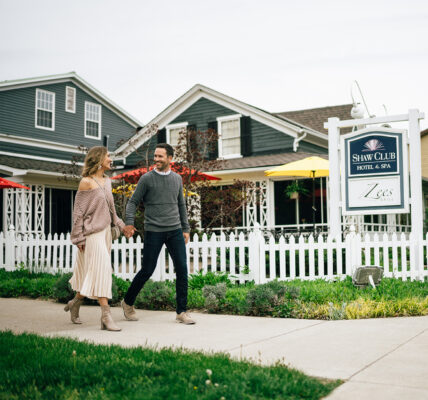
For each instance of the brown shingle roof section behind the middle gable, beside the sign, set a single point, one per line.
(315, 117)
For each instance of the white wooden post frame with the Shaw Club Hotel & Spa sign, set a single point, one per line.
(374, 182)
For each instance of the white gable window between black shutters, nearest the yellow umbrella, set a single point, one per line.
(229, 131)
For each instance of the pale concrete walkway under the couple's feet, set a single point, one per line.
(377, 358)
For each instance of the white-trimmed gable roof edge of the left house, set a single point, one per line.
(78, 81)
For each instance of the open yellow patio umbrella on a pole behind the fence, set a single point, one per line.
(311, 167)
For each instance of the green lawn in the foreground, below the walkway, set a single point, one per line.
(55, 368)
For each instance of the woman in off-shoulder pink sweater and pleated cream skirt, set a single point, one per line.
(93, 215)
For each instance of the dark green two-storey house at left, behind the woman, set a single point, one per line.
(44, 124)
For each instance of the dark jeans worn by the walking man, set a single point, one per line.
(153, 242)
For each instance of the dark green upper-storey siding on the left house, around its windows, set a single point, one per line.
(17, 117)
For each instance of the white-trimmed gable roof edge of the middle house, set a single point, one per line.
(282, 124)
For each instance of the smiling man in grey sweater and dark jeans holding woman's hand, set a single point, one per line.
(165, 222)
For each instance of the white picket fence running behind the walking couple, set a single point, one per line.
(251, 257)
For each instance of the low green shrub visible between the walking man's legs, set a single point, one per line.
(155, 296)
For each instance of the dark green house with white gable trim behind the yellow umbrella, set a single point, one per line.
(251, 141)
